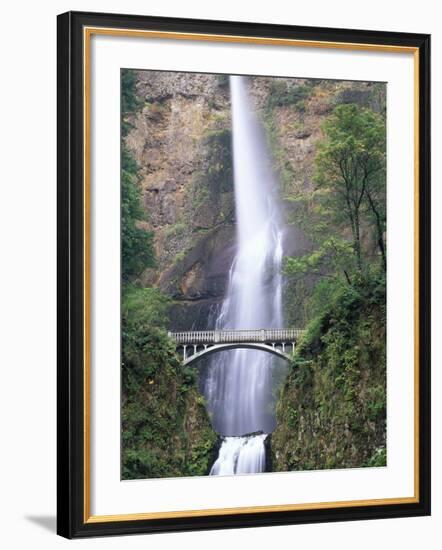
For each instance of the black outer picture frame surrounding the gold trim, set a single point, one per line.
(72, 395)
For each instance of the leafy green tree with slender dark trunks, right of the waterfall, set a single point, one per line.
(350, 167)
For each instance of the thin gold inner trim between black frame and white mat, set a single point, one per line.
(134, 33)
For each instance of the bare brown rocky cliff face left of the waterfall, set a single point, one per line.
(181, 141)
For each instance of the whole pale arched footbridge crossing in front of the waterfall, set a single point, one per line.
(193, 345)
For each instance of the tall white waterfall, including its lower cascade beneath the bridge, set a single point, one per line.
(239, 382)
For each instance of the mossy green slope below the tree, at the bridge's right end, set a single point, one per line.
(332, 409)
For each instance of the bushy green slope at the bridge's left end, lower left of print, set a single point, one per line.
(166, 431)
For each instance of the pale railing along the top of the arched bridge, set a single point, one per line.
(232, 336)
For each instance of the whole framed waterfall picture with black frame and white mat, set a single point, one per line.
(243, 274)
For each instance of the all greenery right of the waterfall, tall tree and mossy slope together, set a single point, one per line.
(332, 408)
